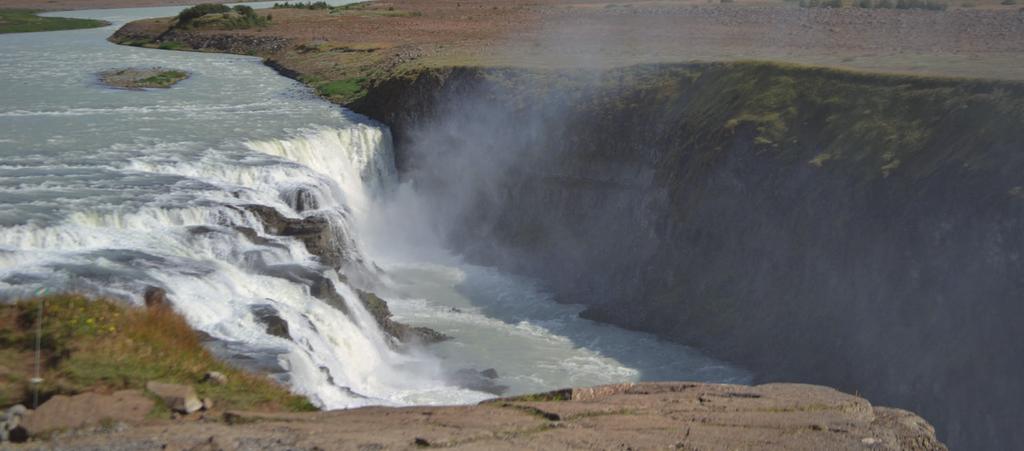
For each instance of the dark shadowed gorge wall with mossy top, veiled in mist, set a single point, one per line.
(858, 231)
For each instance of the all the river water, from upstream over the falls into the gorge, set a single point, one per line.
(109, 192)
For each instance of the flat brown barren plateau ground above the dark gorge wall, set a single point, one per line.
(960, 43)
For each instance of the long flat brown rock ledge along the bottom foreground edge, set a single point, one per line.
(673, 416)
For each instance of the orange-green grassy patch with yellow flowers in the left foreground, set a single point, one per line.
(102, 346)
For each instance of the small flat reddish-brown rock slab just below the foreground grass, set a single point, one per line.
(90, 409)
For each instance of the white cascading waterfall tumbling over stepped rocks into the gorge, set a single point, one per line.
(224, 268)
